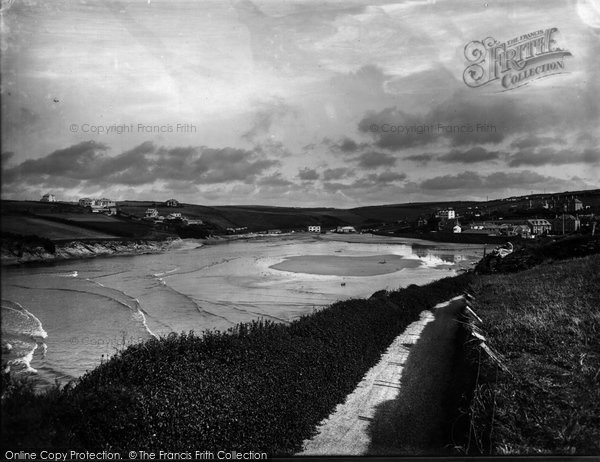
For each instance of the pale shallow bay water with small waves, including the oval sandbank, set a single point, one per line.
(61, 319)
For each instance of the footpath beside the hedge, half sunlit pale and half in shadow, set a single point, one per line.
(397, 408)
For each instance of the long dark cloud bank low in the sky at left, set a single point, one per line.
(89, 163)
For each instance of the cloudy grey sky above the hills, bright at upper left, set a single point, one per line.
(291, 103)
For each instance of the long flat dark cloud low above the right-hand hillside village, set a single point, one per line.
(470, 180)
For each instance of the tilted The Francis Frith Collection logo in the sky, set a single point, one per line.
(515, 62)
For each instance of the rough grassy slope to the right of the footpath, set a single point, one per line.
(545, 324)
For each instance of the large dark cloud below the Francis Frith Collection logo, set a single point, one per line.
(469, 119)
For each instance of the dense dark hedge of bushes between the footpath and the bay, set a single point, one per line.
(260, 386)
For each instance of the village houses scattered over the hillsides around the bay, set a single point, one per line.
(519, 217)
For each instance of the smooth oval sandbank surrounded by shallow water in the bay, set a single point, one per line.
(372, 265)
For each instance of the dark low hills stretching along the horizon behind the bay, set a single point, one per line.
(261, 217)
